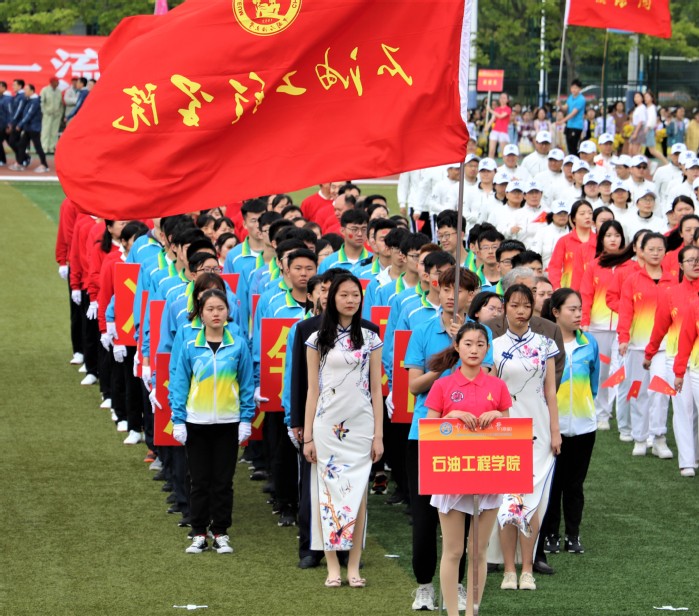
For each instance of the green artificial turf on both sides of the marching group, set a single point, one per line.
(85, 530)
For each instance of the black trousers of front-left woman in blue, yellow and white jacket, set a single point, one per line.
(212, 453)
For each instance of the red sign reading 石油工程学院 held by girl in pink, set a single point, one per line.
(456, 460)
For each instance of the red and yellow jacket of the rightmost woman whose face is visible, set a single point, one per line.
(673, 305)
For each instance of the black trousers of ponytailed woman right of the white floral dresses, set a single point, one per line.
(567, 485)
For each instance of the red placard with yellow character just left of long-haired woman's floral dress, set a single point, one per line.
(274, 334)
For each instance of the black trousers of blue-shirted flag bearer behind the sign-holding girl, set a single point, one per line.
(425, 525)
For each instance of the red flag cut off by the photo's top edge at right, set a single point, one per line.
(643, 16)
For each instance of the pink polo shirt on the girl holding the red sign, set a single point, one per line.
(456, 393)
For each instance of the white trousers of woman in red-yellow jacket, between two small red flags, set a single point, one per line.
(648, 409)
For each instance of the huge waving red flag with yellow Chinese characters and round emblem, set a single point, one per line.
(218, 101)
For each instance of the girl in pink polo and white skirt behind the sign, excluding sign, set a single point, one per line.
(476, 398)
